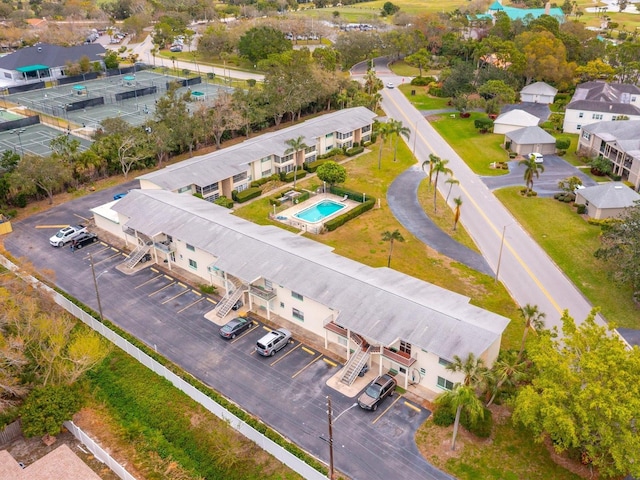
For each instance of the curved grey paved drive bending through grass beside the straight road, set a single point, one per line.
(402, 197)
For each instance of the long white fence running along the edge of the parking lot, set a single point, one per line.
(251, 433)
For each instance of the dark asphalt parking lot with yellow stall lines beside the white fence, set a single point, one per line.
(287, 391)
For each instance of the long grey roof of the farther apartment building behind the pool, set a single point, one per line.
(216, 166)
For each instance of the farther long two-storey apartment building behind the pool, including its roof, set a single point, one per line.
(234, 168)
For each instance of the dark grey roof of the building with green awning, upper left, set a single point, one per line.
(51, 55)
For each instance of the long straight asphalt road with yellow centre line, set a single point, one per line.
(519, 262)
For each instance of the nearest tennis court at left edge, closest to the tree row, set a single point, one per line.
(34, 139)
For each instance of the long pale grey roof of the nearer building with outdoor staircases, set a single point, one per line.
(379, 303)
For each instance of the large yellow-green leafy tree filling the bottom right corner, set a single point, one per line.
(585, 396)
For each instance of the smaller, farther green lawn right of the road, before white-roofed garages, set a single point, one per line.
(478, 151)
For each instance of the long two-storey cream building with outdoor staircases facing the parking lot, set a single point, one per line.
(375, 316)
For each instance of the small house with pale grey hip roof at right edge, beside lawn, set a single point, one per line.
(607, 200)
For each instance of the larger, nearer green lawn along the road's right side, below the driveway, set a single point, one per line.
(570, 241)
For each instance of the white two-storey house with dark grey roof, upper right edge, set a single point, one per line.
(601, 101)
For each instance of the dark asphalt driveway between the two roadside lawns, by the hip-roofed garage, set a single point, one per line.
(555, 169)
